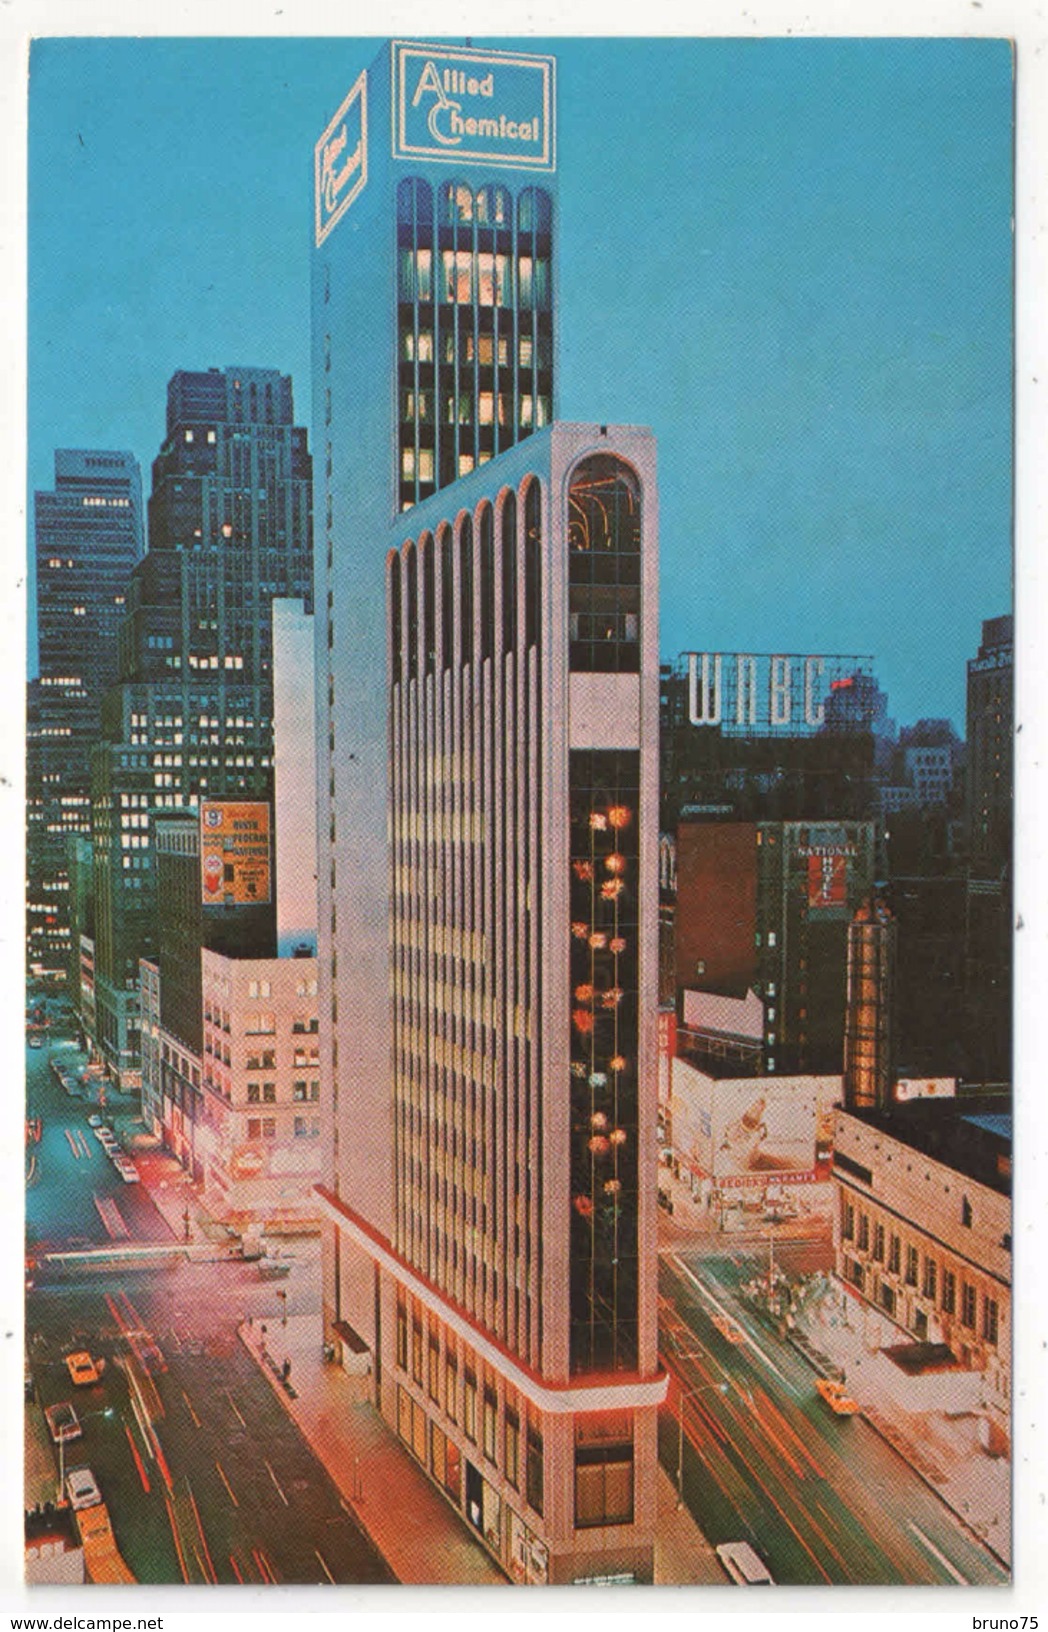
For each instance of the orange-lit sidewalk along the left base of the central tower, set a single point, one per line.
(419, 1535)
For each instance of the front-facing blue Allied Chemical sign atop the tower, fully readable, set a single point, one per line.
(486, 109)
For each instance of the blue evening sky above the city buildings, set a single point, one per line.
(791, 259)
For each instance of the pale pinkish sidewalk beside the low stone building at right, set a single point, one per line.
(943, 1448)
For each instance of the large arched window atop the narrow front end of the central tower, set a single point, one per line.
(605, 567)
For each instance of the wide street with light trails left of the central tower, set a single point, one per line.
(205, 1475)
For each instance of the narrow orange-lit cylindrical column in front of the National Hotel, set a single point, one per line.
(869, 1062)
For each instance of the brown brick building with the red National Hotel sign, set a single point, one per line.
(762, 941)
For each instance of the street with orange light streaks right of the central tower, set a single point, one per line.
(822, 1497)
